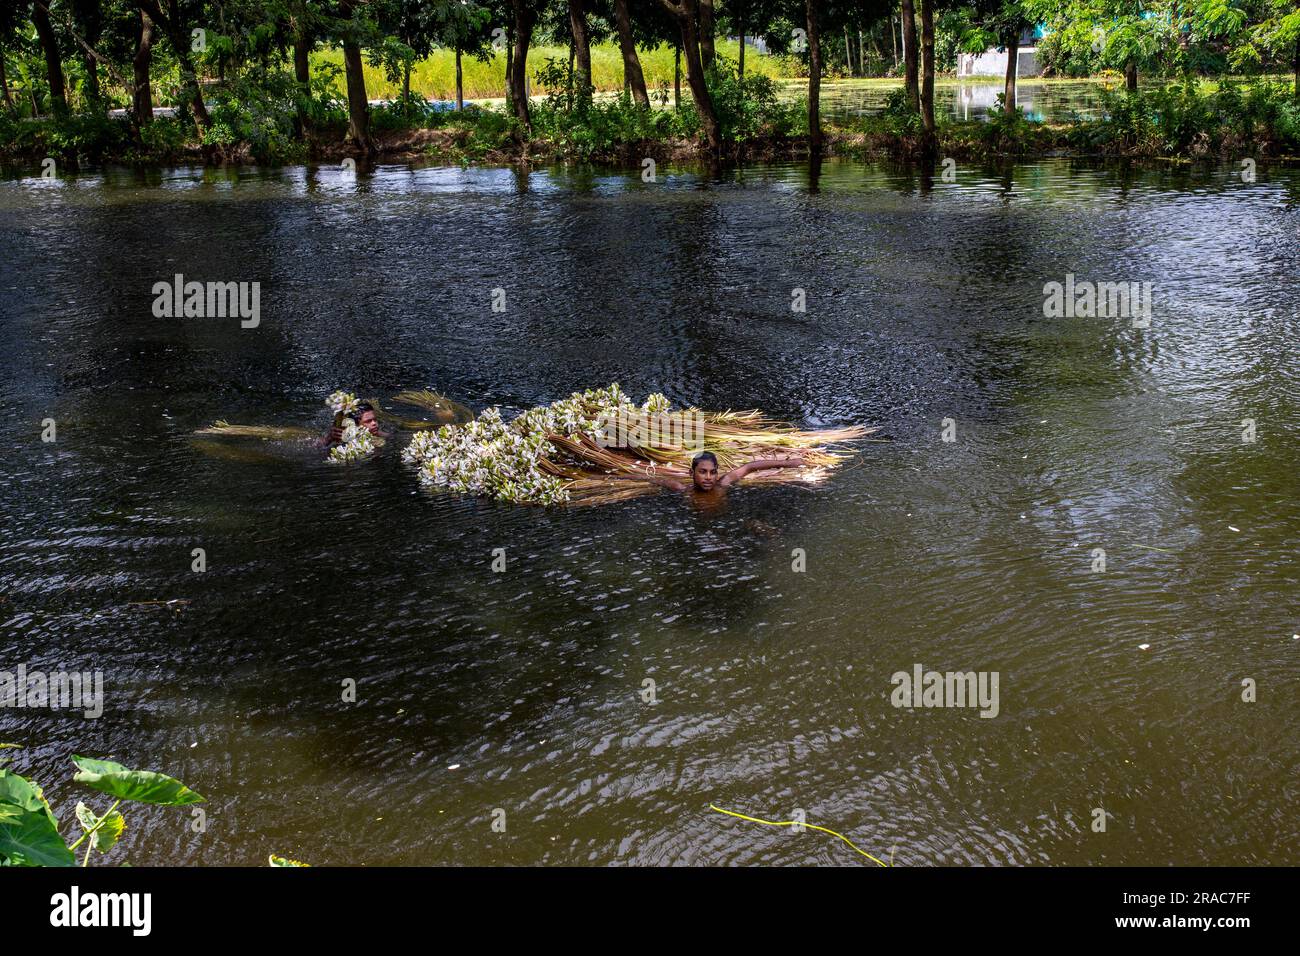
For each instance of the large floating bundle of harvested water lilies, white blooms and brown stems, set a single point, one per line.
(569, 452)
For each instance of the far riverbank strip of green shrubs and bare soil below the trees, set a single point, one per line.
(1173, 123)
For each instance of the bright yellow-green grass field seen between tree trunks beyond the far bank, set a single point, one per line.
(436, 77)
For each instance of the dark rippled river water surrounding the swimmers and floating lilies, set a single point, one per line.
(925, 304)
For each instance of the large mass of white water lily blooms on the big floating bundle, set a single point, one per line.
(501, 460)
